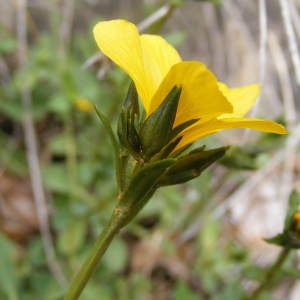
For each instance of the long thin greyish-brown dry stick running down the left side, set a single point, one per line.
(32, 152)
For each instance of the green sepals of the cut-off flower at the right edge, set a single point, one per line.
(290, 237)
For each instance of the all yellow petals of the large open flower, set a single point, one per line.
(155, 68)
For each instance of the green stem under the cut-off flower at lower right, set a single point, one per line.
(271, 274)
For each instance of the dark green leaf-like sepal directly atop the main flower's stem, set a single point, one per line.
(141, 187)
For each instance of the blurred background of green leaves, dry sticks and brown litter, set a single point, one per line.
(200, 240)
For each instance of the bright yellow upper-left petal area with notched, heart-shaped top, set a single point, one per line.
(146, 58)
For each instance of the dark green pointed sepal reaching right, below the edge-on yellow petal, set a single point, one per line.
(191, 166)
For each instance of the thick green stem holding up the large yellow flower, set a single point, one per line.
(89, 266)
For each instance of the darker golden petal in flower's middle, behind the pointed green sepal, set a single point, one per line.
(200, 95)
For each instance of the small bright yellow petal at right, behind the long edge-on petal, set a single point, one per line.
(242, 99)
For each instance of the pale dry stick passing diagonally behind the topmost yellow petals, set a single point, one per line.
(160, 14)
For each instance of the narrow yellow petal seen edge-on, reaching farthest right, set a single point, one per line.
(202, 129)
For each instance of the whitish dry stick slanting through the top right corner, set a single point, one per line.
(292, 42)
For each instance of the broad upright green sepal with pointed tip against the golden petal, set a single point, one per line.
(157, 129)
